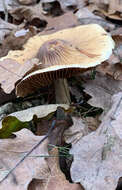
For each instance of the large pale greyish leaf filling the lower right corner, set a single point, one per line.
(98, 156)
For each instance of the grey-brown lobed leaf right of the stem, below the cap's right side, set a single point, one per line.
(101, 89)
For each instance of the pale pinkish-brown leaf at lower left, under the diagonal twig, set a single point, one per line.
(34, 166)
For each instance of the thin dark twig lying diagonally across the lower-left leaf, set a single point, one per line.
(24, 157)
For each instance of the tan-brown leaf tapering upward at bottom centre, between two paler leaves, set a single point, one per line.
(56, 179)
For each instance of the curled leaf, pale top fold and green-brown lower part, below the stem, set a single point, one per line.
(25, 118)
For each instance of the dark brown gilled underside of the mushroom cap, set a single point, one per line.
(41, 78)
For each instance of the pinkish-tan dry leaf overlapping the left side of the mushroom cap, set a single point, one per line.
(10, 72)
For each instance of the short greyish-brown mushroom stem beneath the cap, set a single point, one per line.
(62, 92)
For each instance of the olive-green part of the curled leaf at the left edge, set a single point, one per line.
(11, 124)
